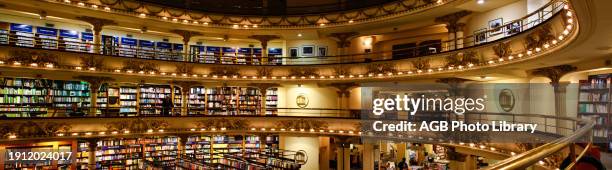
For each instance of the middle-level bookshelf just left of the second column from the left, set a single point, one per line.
(151, 98)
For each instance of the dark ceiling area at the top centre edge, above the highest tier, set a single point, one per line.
(268, 7)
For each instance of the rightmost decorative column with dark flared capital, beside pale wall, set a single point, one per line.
(555, 73)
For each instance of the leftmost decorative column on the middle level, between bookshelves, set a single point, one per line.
(94, 85)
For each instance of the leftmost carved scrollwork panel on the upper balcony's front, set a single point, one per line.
(28, 57)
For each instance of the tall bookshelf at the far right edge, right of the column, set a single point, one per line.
(595, 103)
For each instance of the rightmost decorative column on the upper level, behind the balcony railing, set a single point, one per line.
(455, 29)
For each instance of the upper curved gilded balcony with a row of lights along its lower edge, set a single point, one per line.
(535, 38)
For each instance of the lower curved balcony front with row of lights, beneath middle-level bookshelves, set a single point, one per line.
(557, 133)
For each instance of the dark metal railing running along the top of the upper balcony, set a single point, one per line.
(484, 36)
